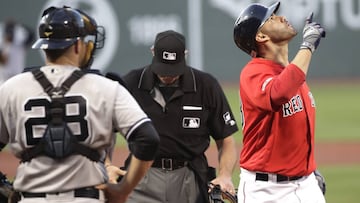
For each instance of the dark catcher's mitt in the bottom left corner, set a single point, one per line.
(7, 192)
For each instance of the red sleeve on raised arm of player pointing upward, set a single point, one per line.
(268, 88)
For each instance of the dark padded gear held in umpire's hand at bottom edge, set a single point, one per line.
(216, 195)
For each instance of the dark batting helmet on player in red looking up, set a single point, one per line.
(250, 20)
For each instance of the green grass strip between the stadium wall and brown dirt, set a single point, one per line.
(338, 109)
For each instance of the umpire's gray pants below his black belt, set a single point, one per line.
(160, 186)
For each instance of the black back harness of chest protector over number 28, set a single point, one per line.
(58, 141)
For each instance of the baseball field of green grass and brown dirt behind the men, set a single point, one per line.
(337, 139)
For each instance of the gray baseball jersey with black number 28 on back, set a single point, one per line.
(95, 106)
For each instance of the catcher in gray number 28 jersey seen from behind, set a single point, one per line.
(59, 119)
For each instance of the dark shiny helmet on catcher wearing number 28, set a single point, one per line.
(60, 27)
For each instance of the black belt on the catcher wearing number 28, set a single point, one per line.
(87, 192)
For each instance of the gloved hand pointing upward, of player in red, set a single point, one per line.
(312, 33)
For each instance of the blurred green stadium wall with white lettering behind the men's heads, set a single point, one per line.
(131, 27)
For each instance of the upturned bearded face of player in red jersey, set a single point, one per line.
(278, 29)
